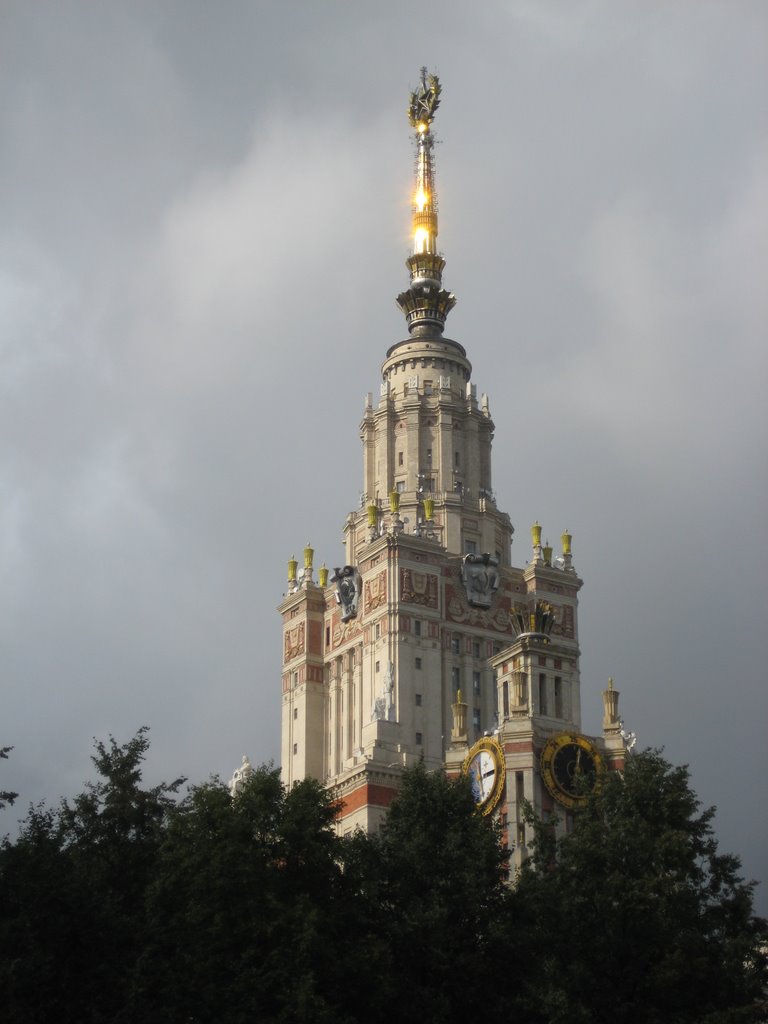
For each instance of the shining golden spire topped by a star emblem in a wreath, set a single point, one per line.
(426, 304)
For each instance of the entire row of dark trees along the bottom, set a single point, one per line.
(131, 904)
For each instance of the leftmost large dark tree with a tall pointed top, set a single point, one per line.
(72, 893)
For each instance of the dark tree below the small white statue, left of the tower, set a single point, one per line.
(249, 903)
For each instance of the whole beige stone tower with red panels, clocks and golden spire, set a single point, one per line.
(429, 644)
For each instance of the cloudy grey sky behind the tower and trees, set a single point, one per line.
(204, 218)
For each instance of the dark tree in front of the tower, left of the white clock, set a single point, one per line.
(442, 890)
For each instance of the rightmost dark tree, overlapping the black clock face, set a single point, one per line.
(634, 916)
